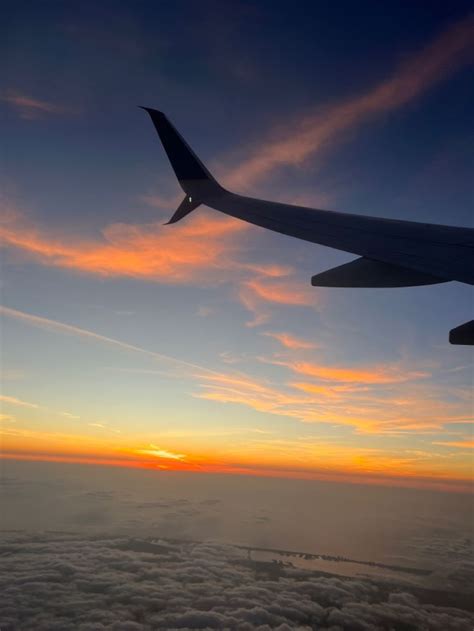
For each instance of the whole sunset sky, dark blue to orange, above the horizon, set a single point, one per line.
(202, 346)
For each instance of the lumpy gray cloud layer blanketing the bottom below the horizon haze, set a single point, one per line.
(70, 582)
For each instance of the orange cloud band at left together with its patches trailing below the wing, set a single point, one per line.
(206, 250)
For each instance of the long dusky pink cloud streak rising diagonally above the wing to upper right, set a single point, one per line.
(303, 138)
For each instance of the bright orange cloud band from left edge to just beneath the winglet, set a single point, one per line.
(152, 251)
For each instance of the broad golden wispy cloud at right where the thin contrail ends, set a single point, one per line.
(375, 408)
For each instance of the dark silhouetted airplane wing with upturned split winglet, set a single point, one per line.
(392, 253)
